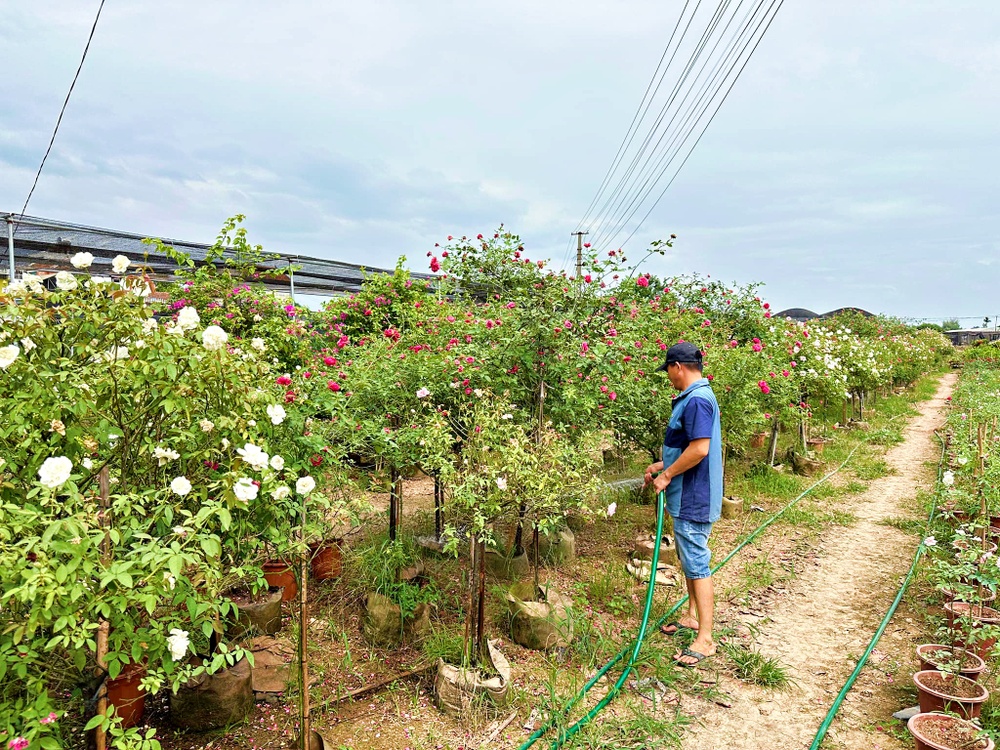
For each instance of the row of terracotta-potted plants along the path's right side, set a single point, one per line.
(957, 674)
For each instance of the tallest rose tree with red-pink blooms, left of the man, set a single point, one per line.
(528, 325)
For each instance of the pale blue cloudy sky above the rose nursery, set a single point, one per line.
(855, 163)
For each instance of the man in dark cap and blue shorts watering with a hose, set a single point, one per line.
(691, 474)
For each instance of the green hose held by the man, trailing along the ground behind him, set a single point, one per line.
(576, 727)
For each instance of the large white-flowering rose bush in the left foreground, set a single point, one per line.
(98, 384)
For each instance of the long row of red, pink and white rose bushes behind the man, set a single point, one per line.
(153, 457)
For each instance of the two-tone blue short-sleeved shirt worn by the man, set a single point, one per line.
(695, 495)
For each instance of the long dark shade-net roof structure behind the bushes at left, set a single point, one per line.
(46, 244)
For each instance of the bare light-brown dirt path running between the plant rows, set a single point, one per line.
(824, 619)
